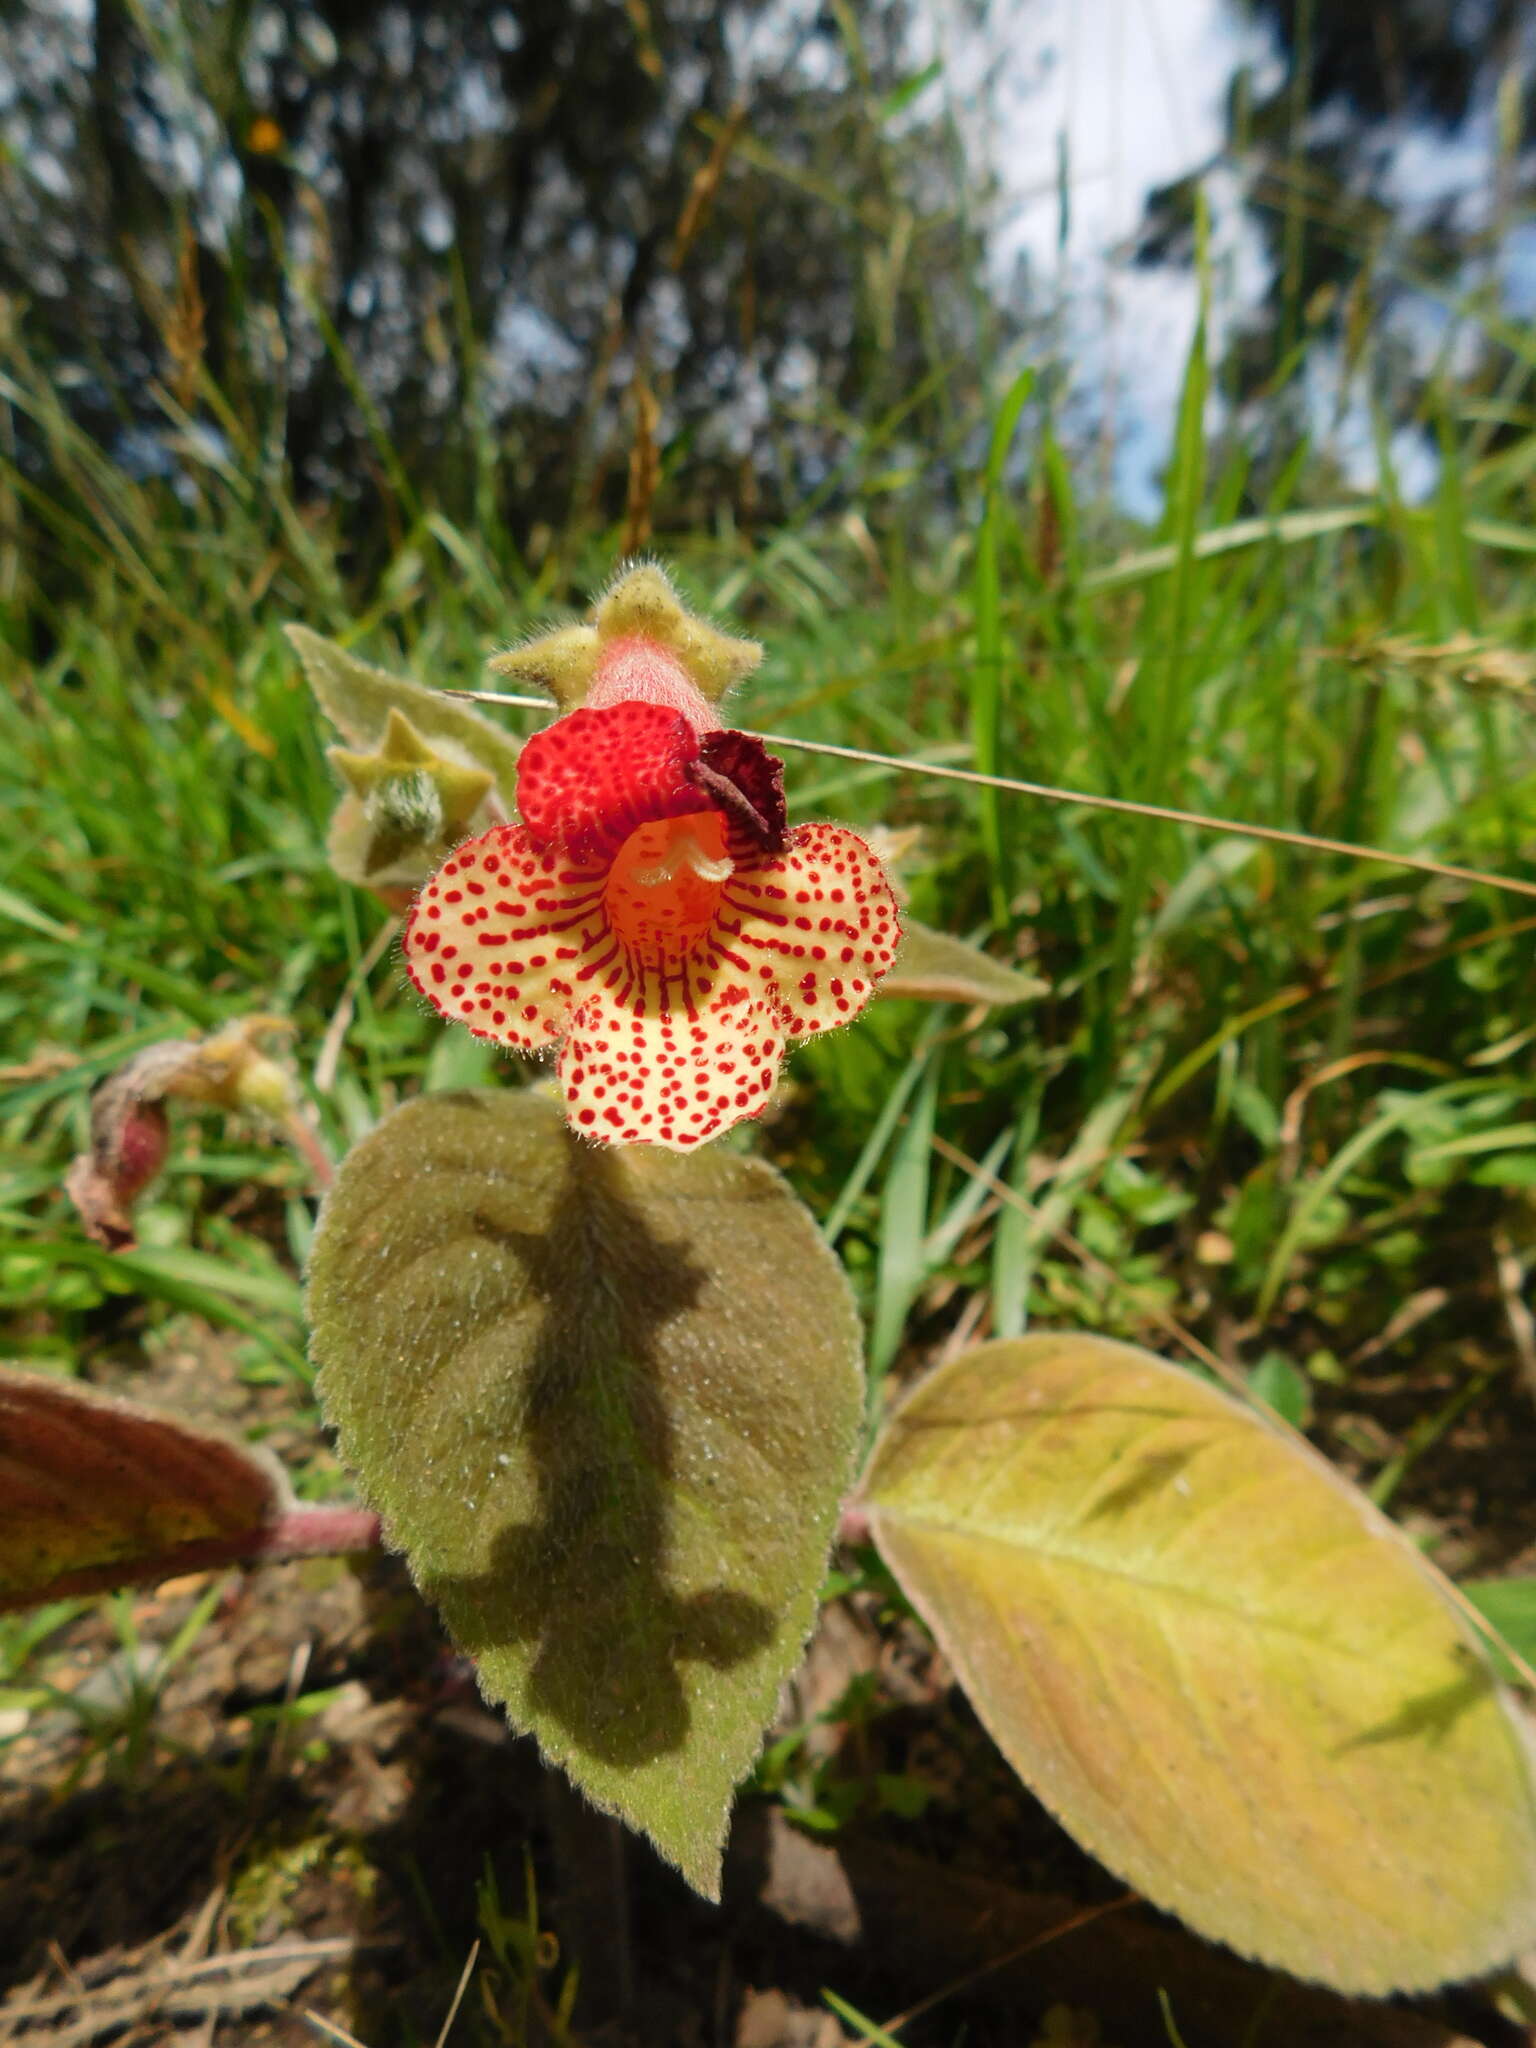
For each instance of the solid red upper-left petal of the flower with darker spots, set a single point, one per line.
(595, 777)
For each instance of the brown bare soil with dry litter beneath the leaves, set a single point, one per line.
(321, 1818)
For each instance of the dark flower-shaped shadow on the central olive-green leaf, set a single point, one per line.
(587, 1580)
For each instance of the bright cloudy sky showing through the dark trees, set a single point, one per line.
(1132, 95)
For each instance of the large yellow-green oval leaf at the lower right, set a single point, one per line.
(1218, 1664)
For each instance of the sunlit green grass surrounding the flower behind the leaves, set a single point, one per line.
(1271, 1095)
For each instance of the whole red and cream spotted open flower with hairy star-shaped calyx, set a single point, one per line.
(652, 914)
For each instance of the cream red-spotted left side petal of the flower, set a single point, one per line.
(503, 935)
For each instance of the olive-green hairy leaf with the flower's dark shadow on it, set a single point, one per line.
(607, 1404)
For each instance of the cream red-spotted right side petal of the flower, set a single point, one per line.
(814, 929)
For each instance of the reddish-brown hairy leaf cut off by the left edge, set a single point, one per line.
(99, 1492)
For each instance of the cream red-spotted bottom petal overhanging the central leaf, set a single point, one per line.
(669, 1076)
